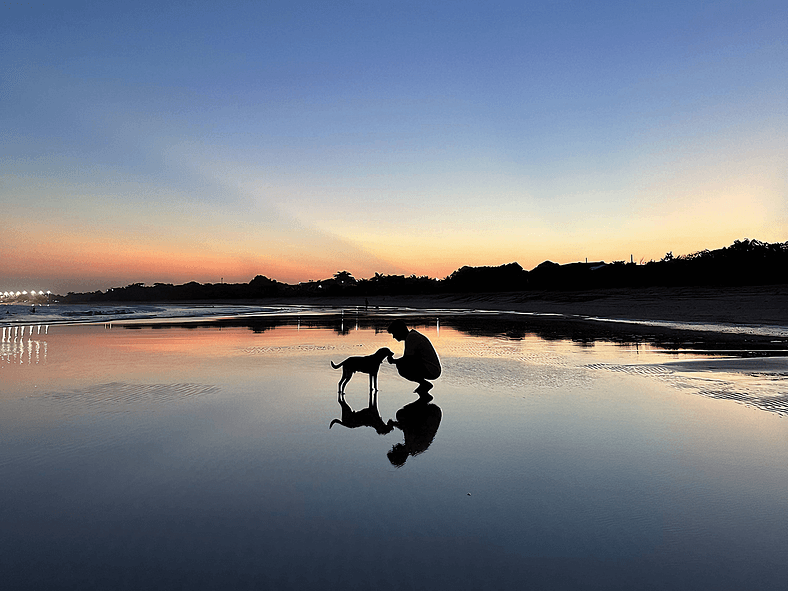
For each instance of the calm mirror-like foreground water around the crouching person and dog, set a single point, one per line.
(200, 457)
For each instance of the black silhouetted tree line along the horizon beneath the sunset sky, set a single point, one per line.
(745, 262)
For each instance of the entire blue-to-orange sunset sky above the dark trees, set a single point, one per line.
(216, 141)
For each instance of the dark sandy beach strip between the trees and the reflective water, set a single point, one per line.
(718, 316)
